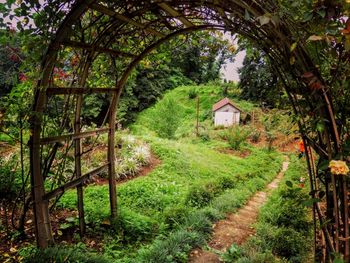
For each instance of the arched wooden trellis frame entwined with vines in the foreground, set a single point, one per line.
(128, 31)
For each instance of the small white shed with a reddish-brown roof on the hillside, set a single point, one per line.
(226, 113)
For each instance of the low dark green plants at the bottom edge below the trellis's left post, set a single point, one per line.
(60, 254)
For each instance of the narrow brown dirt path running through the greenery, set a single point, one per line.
(237, 227)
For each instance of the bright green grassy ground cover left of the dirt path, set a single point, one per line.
(166, 213)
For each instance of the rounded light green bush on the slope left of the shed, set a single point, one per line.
(166, 118)
